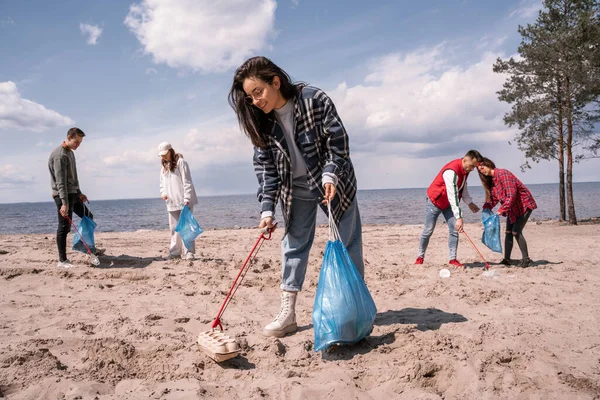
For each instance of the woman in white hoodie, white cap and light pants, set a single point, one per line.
(177, 189)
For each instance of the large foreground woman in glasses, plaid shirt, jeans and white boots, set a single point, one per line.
(301, 157)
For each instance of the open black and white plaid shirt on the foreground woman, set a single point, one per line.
(323, 142)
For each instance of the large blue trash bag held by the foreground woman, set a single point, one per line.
(344, 310)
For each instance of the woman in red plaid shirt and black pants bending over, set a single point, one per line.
(517, 203)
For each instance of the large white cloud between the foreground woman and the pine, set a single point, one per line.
(417, 100)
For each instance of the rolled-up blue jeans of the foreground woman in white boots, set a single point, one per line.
(296, 244)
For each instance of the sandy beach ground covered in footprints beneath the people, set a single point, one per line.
(128, 329)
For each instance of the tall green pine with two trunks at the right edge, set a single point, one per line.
(554, 89)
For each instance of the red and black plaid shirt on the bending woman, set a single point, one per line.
(515, 198)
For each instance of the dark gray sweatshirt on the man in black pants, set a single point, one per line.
(63, 173)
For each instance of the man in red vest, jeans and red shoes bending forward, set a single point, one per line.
(443, 197)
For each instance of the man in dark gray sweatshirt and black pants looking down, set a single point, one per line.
(65, 190)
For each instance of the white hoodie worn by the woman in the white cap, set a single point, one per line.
(178, 186)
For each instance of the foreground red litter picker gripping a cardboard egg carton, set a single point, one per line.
(216, 344)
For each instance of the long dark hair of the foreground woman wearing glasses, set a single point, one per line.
(253, 121)
